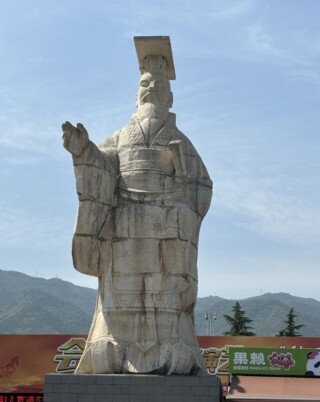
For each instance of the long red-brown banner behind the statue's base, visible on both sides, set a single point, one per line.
(25, 359)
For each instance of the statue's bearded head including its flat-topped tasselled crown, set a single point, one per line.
(154, 98)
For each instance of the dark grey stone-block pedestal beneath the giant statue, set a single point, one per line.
(131, 388)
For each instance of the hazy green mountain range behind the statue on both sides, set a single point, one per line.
(31, 305)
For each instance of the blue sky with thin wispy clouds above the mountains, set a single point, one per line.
(247, 95)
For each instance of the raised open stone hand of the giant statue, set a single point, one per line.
(75, 139)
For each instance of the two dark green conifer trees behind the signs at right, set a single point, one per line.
(240, 323)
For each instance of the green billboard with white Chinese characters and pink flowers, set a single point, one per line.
(274, 361)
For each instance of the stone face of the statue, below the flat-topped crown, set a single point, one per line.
(154, 88)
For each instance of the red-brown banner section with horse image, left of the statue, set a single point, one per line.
(26, 359)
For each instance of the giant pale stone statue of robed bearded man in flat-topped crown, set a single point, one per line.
(142, 196)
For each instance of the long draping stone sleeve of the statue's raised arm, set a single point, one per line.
(96, 173)
